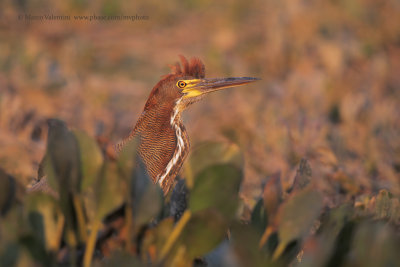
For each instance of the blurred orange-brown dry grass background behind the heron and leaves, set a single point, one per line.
(330, 89)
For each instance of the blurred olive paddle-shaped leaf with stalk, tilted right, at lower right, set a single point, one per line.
(296, 217)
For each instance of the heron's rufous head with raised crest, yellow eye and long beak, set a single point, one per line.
(187, 84)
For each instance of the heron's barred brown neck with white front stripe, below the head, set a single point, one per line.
(164, 143)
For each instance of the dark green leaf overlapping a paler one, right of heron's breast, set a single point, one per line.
(217, 187)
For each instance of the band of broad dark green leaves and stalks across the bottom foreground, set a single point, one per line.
(294, 228)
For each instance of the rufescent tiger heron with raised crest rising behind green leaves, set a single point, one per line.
(164, 143)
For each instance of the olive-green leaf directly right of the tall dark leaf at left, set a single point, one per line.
(91, 159)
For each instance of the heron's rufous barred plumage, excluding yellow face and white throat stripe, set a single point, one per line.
(158, 138)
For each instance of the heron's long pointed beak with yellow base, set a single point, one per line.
(203, 86)
